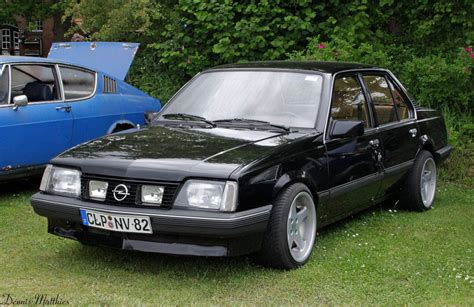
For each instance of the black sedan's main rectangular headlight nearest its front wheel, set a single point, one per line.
(206, 194)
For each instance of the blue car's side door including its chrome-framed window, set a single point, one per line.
(34, 133)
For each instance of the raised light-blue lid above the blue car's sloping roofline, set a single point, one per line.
(111, 58)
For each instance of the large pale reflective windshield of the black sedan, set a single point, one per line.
(280, 98)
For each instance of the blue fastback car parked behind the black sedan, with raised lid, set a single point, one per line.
(48, 105)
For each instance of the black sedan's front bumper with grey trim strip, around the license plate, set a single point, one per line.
(175, 231)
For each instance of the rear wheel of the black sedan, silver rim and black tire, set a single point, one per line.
(419, 189)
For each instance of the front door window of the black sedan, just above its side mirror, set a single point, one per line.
(348, 100)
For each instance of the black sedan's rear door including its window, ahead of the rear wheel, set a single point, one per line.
(395, 119)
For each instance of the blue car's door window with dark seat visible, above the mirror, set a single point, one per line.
(37, 82)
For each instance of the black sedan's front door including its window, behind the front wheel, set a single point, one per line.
(354, 169)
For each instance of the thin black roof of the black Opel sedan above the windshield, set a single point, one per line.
(323, 67)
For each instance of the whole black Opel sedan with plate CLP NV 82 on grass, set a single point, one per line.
(250, 158)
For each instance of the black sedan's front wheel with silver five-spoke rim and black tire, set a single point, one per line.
(289, 239)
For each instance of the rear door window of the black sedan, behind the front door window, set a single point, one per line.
(382, 99)
